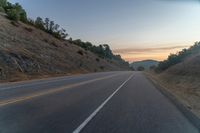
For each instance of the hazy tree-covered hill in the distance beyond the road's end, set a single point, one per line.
(145, 63)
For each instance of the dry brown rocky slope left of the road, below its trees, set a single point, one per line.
(27, 52)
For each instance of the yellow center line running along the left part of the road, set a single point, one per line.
(23, 98)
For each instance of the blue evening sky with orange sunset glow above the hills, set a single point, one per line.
(135, 29)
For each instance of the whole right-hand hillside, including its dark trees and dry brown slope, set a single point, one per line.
(182, 77)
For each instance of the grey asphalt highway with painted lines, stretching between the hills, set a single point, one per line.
(110, 102)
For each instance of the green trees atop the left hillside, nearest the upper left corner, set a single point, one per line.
(16, 13)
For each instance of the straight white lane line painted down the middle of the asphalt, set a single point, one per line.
(78, 130)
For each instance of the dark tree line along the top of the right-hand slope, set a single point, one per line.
(174, 59)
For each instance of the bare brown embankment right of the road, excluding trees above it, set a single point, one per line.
(183, 81)
